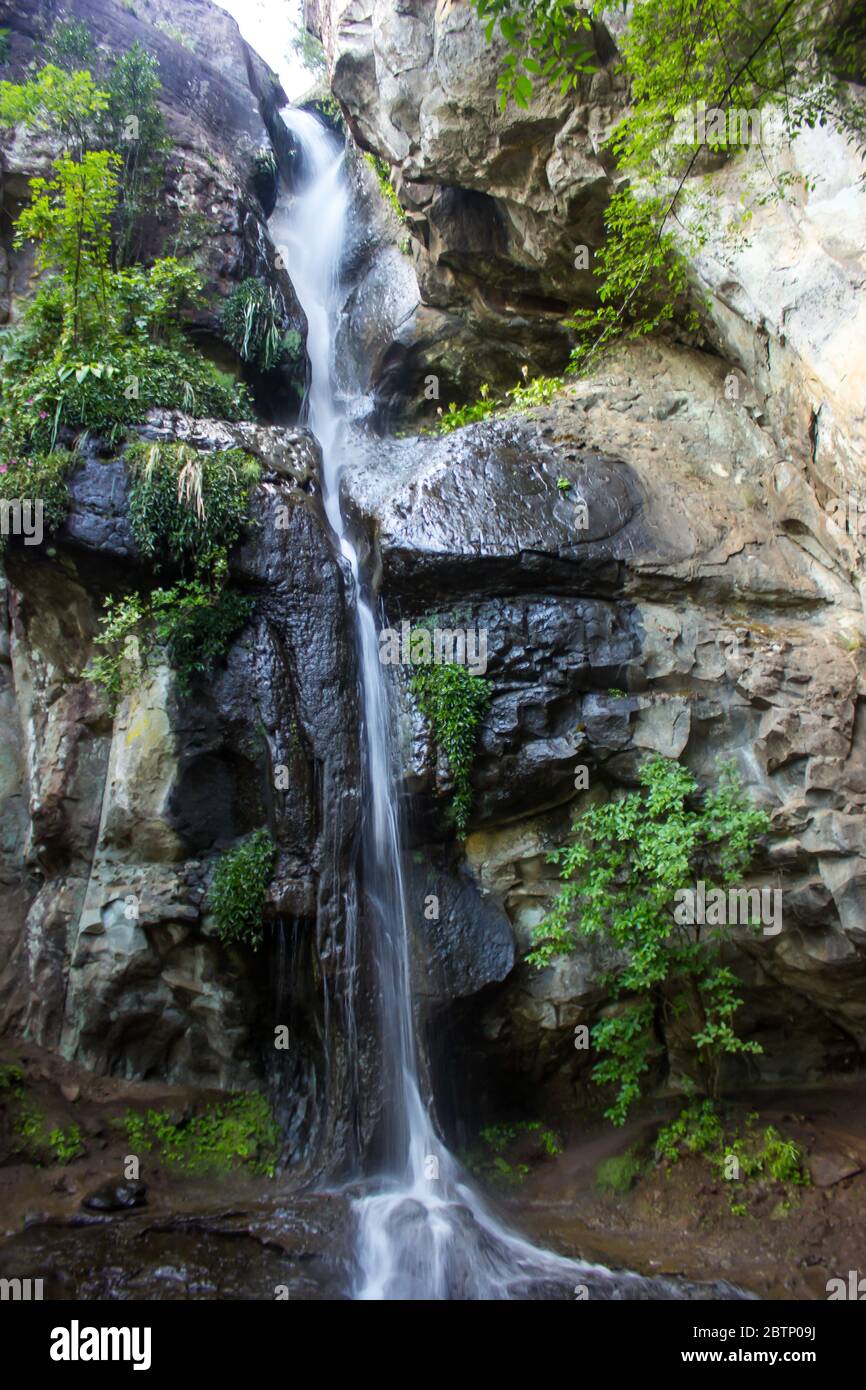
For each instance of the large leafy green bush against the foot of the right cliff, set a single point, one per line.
(621, 878)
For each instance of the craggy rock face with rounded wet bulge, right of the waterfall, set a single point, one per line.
(683, 621)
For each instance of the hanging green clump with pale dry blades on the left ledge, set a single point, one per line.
(184, 505)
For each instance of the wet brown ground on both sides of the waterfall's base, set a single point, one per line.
(241, 1238)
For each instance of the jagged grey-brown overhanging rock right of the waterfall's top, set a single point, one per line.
(496, 201)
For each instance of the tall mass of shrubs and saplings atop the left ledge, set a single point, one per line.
(99, 347)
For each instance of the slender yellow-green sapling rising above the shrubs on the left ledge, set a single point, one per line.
(70, 220)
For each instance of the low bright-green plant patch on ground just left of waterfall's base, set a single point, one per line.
(237, 1134)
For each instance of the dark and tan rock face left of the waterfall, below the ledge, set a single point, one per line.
(113, 824)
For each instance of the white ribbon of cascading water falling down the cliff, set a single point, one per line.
(423, 1232)
